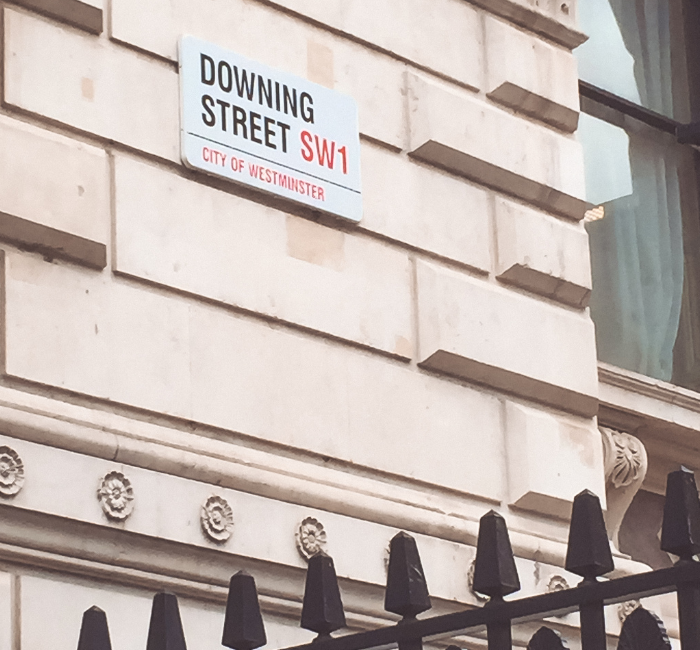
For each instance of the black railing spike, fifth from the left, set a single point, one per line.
(406, 589)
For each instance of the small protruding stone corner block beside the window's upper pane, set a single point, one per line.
(535, 78)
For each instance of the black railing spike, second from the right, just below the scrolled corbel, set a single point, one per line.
(588, 554)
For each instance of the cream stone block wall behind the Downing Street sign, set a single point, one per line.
(409, 372)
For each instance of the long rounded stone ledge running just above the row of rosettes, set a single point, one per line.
(209, 459)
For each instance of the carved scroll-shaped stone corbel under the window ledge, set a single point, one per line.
(626, 464)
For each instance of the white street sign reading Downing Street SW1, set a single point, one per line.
(255, 125)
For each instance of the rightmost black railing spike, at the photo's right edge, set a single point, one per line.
(680, 532)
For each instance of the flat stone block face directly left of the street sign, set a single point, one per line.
(91, 84)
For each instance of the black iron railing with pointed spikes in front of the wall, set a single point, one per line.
(495, 575)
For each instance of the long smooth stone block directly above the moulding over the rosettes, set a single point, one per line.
(89, 333)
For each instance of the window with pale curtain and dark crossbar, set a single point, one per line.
(639, 84)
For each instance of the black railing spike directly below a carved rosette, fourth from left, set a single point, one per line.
(322, 611)
